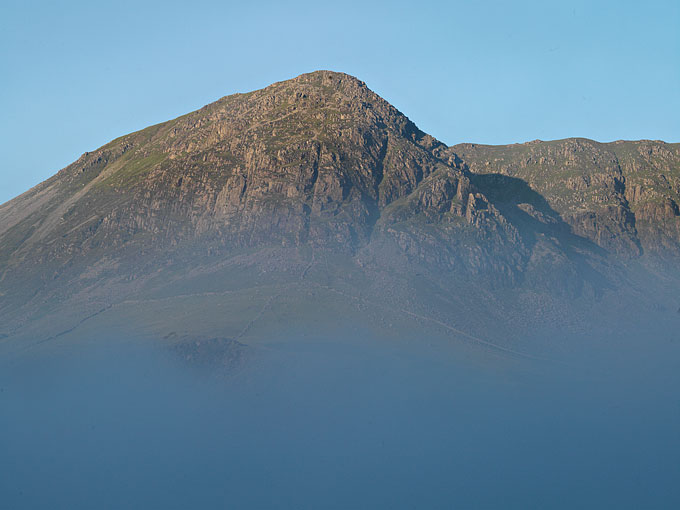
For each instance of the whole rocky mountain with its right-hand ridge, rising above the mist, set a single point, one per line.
(313, 205)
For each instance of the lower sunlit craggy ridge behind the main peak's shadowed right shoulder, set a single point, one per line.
(622, 196)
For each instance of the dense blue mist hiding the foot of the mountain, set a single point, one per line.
(340, 423)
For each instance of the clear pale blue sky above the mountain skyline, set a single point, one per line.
(76, 74)
